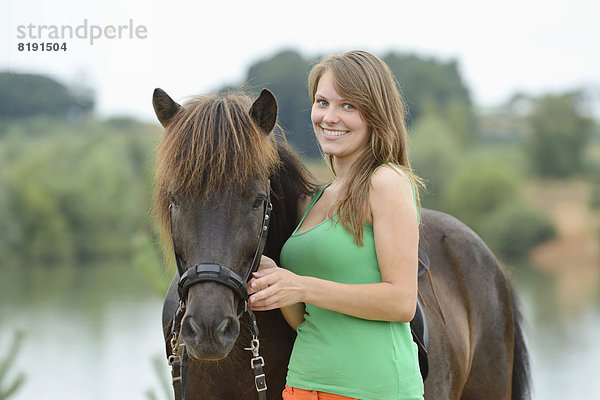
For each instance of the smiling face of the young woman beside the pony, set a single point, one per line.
(340, 127)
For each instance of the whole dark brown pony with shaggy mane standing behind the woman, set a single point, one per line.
(213, 163)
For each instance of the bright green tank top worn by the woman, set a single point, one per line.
(337, 353)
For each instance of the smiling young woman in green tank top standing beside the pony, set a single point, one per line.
(348, 281)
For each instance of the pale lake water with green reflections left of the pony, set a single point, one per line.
(90, 333)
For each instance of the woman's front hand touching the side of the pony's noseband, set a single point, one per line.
(273, 287)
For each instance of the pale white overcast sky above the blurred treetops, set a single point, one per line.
(534, 46)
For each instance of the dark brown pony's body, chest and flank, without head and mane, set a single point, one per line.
(470, 354)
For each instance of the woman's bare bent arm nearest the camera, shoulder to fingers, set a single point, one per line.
(396, 242)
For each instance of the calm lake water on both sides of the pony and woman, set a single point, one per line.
(95, 333)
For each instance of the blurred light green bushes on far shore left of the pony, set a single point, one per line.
(79, 192)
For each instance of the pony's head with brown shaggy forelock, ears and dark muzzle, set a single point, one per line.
(212, 167)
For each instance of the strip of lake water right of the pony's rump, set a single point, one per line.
(562, 313)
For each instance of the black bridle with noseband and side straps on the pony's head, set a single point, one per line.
(225, 276)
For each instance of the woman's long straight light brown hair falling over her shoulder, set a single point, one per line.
(365, 80)
